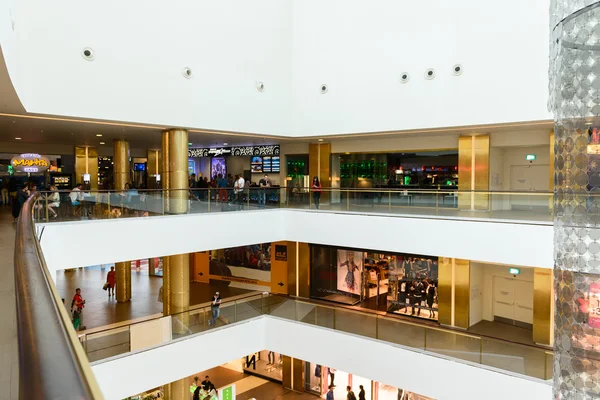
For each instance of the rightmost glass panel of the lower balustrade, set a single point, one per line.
(517, 358)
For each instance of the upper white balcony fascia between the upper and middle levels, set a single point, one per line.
(73, 244)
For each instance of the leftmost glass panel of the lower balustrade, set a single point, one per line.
(106, 344)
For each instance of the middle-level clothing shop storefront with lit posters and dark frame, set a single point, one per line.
(403, 284)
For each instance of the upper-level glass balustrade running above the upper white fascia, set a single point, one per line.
(515, 206)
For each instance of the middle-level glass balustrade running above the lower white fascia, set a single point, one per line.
(521, 359)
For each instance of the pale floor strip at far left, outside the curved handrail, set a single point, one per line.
(9, 362)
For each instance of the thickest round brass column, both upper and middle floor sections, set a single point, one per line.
(176, 269)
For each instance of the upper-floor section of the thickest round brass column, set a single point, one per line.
(174, 174)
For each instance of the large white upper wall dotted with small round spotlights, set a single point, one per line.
(357, 48)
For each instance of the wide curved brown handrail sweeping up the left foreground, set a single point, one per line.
(52, 364)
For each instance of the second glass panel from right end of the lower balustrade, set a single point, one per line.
(453, 345)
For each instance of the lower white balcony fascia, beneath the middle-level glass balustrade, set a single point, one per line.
(444, 378)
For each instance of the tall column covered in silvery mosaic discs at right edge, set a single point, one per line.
(575, 102)
